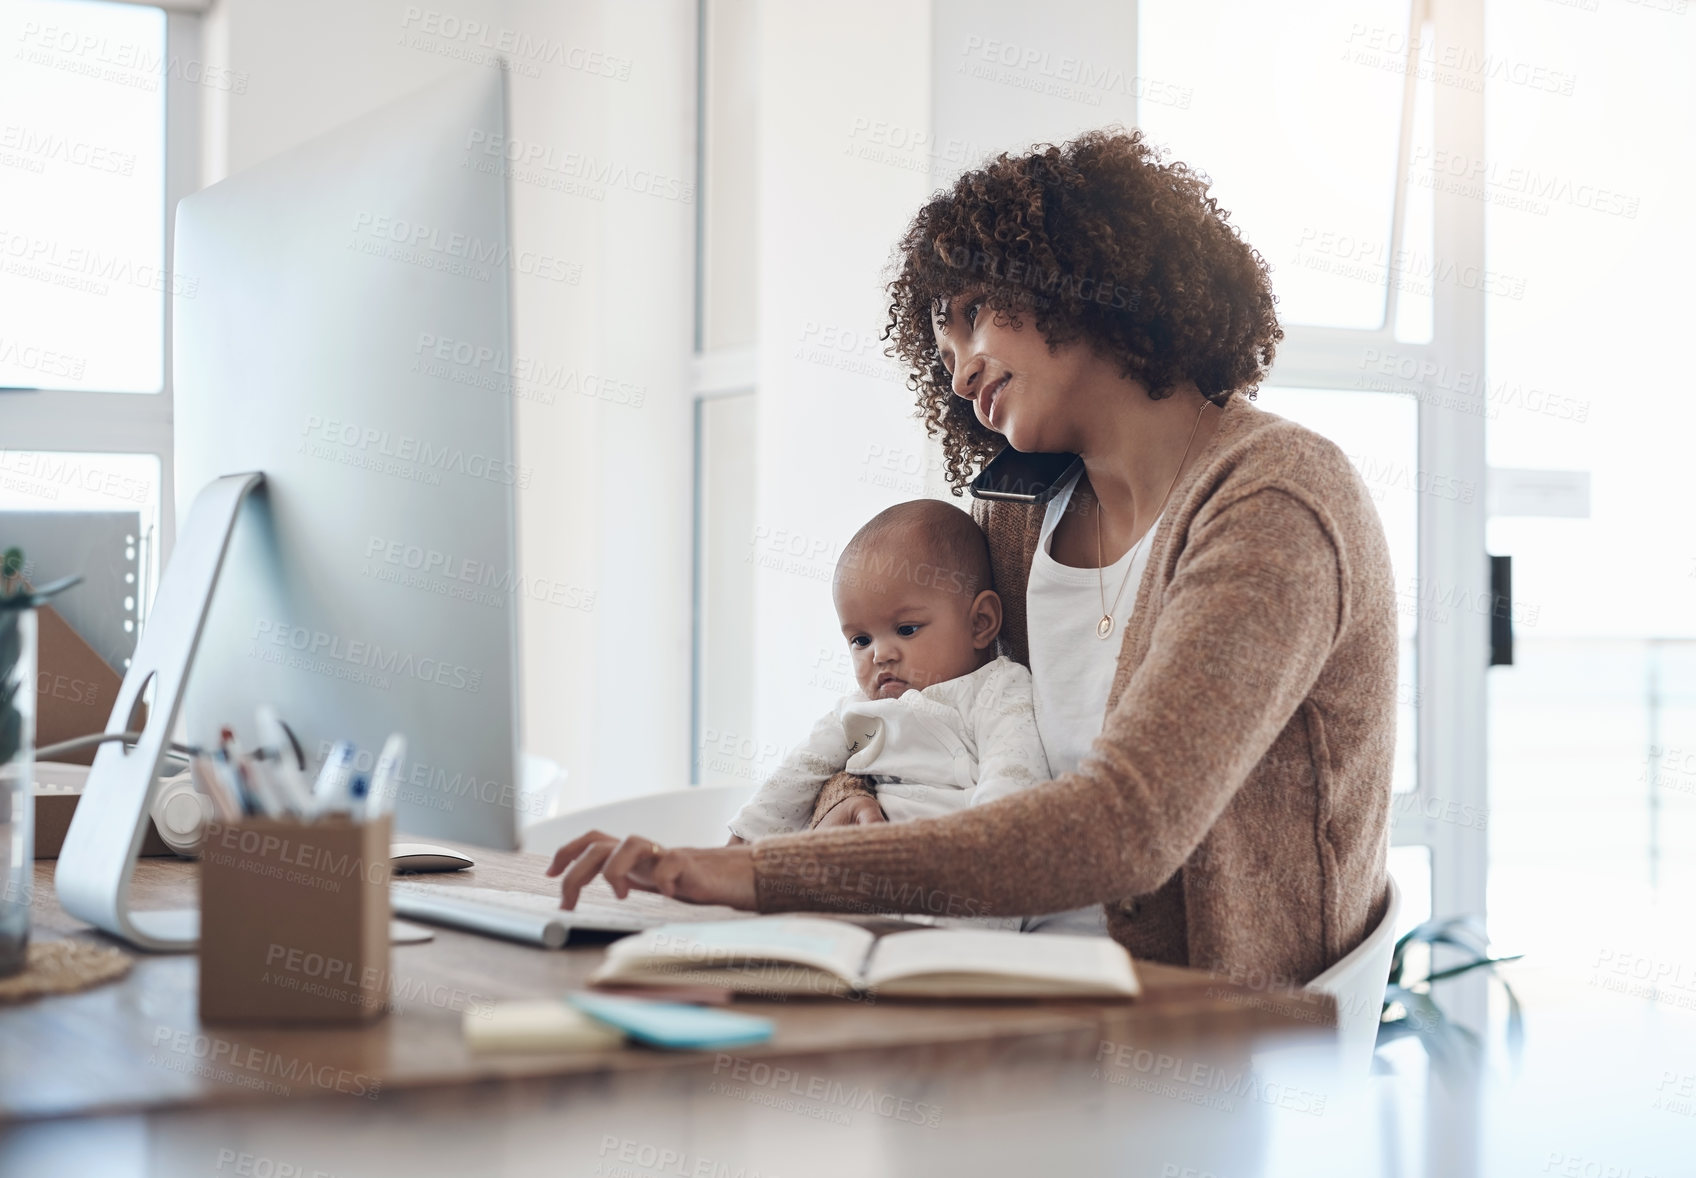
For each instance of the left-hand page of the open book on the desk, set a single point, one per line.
(740, 947)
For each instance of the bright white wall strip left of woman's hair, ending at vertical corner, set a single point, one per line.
(832, 82)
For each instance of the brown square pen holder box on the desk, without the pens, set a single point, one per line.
(294, 921)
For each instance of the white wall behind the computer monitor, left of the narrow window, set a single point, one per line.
(608, 511)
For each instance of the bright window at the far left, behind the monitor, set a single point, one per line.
(87, 181)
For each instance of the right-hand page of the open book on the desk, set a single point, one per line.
(983, 962)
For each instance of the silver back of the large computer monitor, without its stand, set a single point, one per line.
(349, 336)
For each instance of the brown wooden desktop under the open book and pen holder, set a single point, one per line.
(138, 1047)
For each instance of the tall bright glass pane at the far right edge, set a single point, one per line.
(1593, 731)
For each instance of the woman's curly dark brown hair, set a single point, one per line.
(1095, 240)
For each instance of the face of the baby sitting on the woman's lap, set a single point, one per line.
(905, 635)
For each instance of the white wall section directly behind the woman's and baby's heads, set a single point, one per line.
(864, 113)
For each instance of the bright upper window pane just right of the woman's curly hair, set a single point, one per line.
(1314, 101)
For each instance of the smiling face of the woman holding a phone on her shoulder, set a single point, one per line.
(1017, 386)
